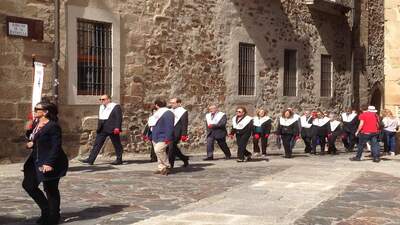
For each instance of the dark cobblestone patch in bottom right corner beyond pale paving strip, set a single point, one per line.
(371, 199)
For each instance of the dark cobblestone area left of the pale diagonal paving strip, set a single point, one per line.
(104, 194)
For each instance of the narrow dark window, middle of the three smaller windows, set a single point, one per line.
(290, 73)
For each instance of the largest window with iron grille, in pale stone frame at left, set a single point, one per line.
(94, 57)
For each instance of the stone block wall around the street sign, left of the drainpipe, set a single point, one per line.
(16, 74)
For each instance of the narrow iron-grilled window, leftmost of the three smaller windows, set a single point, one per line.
(246, 69)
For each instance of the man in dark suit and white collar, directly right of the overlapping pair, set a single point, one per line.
(216, 131)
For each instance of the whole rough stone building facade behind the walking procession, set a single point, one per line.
(192, 49)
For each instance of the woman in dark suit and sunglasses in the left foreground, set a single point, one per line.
(46, 164)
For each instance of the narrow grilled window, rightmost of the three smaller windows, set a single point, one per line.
(326, 75)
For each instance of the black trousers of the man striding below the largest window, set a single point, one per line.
(98, 144)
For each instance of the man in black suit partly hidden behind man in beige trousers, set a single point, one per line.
(181, 122)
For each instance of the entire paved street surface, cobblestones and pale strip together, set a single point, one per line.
(306, 190)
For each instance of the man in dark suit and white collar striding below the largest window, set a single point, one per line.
(109, 125)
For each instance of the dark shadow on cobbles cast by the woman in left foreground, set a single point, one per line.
(91, 213)
